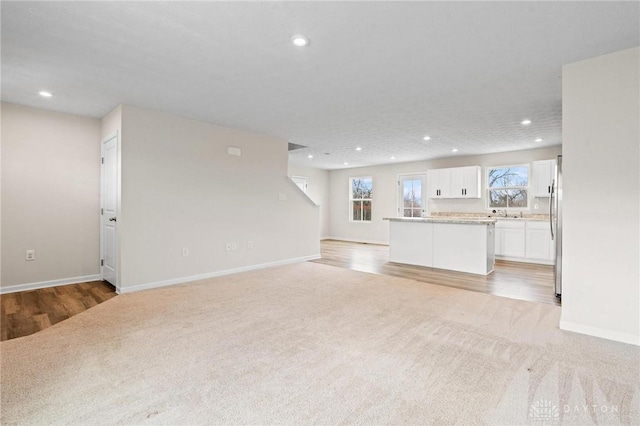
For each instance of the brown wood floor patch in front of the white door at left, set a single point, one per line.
(27, 312)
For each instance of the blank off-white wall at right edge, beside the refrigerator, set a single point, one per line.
(601, 159)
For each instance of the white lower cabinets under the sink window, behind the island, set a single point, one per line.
(524, 241)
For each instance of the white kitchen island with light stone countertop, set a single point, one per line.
(457, 244)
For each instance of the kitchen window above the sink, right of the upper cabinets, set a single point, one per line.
(508, 187)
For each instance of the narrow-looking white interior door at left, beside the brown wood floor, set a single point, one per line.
(108, 219)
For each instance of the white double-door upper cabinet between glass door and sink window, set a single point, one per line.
(457, 182)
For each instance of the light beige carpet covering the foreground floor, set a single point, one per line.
(315, 344)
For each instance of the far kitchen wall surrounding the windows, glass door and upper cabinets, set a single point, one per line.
(385, 191)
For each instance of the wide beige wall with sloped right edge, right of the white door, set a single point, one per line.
(181, 189)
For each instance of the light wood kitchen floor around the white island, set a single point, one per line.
(524, 281)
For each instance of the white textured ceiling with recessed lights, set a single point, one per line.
(376, 75)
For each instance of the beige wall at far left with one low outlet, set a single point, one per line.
(50, 197)
